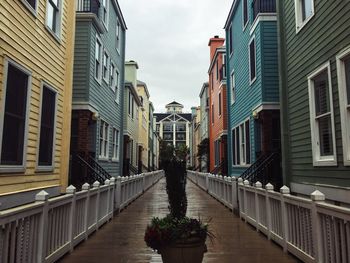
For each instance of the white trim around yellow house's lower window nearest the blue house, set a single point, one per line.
(41, 168)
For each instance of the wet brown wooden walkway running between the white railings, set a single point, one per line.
(121, 241)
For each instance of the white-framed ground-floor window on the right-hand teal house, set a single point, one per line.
(241, 144)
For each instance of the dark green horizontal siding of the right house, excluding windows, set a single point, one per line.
(318, 42)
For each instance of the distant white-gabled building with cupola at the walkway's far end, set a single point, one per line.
(174, 126)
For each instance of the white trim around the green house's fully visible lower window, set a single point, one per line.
(317, 159)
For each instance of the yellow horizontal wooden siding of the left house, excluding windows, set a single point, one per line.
(25, 40)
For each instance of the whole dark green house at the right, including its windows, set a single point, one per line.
(315, 96)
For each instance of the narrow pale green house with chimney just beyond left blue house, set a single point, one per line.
(132, 106)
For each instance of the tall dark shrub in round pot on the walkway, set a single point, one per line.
(177, 237)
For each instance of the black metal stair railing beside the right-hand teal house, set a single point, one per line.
(267, 169)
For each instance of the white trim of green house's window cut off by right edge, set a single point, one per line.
(344, 112)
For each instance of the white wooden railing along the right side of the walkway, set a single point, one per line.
(309, 228)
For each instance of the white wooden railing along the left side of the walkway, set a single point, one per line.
(50, 227)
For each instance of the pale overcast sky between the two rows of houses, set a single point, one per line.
(169, 41)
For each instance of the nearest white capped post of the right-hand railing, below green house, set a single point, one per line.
(317, 197)
